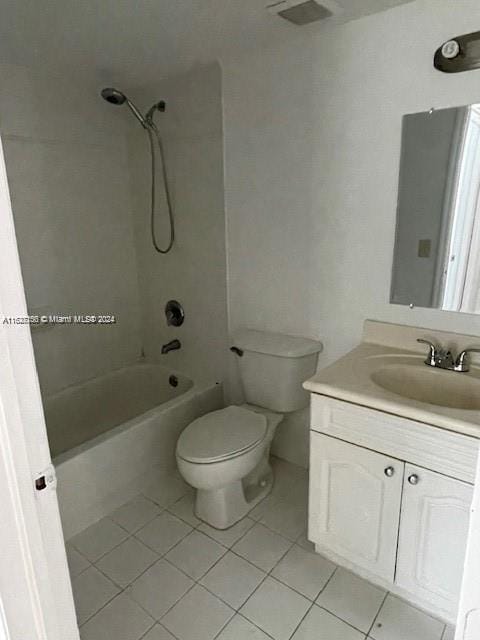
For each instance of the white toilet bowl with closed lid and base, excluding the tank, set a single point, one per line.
(225, 456)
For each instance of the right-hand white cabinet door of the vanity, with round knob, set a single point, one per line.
(433, 536)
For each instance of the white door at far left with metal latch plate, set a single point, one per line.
(35, 592)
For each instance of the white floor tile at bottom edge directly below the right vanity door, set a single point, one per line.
(398, 620)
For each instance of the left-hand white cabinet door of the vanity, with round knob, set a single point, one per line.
(354, 505)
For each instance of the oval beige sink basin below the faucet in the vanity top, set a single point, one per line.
(433, 386)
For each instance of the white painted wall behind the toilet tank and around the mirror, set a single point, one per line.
(312, 147)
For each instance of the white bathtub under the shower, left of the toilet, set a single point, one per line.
(113, 436)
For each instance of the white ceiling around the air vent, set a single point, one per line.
(137, 41)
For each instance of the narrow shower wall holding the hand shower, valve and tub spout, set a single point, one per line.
(194, 272)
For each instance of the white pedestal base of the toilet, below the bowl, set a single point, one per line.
(224, 507)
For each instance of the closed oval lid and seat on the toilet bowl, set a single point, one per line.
(220, 435)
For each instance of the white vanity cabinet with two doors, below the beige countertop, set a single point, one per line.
(390, 497)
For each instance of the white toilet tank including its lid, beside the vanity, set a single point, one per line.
(274, 366)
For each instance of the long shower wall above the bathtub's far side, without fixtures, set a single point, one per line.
(68, 174)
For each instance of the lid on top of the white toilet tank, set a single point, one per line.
(276, 344)
